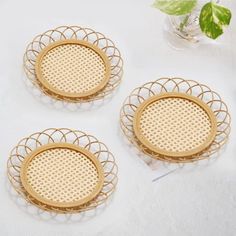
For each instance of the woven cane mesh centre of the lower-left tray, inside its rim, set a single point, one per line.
(62, 175)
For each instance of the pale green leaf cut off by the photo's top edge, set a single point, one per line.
(175, 7)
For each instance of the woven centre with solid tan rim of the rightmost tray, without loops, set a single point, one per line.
(175, 124)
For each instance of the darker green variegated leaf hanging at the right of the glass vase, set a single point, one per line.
(213, 18)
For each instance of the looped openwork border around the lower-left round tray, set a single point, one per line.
(64, 136)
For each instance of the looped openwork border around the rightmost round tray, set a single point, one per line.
(176, 85)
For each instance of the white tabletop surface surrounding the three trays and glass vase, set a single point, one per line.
(200, 201)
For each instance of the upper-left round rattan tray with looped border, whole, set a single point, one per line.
(73, 64)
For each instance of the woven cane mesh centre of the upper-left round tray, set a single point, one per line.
(73, 68)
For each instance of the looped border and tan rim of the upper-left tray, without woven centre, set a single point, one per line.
(91, 38)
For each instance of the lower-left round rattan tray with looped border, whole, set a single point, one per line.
(62, 170)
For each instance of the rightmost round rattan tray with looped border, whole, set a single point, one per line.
(175, 120)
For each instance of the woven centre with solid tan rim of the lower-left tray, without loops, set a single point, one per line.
(62, 175)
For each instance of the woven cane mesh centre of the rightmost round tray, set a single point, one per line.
(175, 124)
